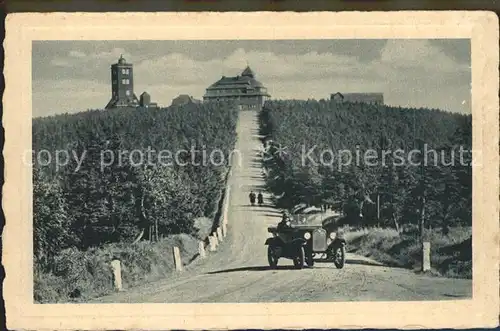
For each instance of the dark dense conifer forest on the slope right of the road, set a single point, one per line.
(379, 165)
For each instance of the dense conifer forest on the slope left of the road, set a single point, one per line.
(127, 174)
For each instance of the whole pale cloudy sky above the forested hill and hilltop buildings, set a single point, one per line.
(73, 76)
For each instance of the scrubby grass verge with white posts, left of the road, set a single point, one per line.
(77, 276)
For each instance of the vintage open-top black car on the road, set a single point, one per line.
(303, 243)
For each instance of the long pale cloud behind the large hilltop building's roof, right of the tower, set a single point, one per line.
(267, 65)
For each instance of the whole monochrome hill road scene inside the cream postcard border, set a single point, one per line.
(236, 171)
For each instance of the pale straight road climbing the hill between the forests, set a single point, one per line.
(238, 272)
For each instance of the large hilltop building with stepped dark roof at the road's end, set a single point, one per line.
(248, 92)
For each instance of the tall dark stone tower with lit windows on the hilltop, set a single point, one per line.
(122, 85)
